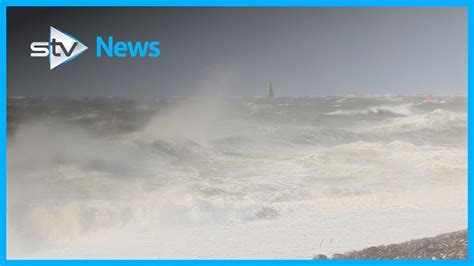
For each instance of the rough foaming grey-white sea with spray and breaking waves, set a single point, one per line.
(217, 177)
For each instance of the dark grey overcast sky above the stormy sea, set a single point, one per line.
(303, 51)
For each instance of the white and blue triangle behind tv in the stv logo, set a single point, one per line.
(63, 48)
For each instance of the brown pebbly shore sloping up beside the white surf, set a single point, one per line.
(450, 246)
